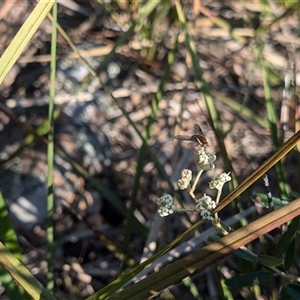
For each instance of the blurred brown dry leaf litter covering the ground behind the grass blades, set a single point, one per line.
(94, 132)
